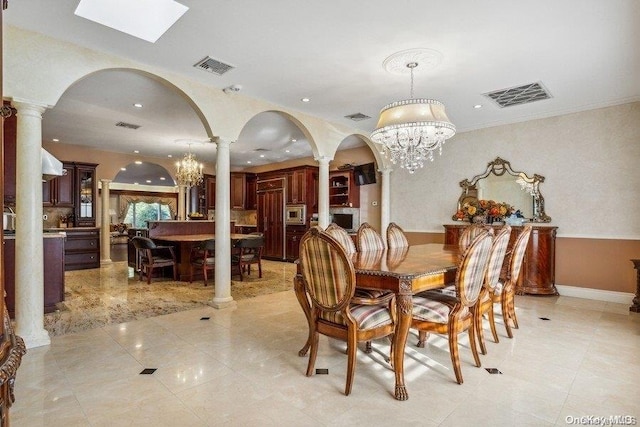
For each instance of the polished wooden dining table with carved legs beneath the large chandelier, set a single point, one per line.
(405, 271)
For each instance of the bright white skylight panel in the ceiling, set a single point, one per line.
(145, 19)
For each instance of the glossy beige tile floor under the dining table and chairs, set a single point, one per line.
(241, 367)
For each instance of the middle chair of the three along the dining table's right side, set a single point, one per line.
(492, 277)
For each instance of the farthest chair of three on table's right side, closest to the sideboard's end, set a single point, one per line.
(504, 293)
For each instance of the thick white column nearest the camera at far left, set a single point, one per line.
(29, 271)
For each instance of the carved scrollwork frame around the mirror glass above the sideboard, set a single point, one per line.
(499, 167)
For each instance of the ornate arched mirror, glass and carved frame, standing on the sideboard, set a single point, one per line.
(502, 184)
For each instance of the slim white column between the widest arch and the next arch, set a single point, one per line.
(222, 297)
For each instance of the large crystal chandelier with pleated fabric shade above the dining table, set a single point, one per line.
(411, 130)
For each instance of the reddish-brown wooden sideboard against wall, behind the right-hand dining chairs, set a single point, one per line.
(538, 274)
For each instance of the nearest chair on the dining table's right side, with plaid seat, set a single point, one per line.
(453, 315)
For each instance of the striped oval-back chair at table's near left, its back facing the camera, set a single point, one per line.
(328, 278)
